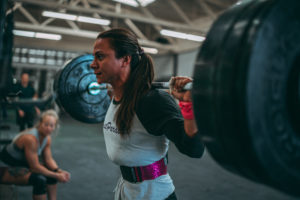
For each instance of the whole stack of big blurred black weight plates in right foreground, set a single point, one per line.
(233, 99)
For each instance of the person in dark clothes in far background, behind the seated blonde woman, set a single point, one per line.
(26, 113)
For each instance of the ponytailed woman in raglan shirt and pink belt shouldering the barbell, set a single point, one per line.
(141, 120)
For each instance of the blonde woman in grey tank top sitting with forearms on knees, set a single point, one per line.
(21, 159)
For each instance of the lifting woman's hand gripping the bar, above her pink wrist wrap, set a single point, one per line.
(176, 86)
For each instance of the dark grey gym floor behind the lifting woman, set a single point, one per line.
(79, 148)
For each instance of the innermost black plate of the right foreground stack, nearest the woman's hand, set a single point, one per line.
(203, 84)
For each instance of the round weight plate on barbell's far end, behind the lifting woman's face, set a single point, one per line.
(72, 94)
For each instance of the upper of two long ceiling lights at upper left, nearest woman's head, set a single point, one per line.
(90, 20)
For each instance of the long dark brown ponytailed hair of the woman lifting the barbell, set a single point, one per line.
(125, 43)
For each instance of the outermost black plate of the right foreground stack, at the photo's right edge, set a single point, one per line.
(273, 62)
